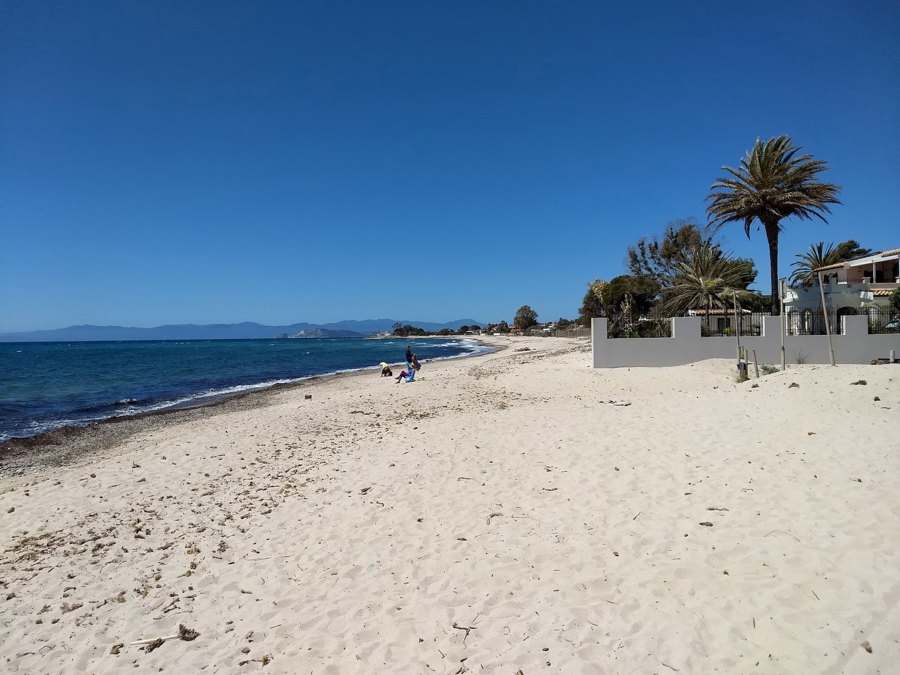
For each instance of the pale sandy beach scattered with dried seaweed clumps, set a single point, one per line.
(514, 512)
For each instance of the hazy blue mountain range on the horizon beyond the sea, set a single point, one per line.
(223, 331)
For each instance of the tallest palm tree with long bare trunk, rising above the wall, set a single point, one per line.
(772, 183)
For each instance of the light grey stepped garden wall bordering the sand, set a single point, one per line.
(686, 345)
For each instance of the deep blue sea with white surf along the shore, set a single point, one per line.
(48, 385)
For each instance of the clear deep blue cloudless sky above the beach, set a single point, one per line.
(202, 162)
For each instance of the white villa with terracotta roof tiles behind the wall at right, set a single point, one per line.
(859, 286)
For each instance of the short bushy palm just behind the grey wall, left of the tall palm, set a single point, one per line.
(705, 277)
